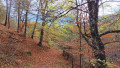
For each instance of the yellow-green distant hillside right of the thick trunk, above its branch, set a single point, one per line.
(109, 22)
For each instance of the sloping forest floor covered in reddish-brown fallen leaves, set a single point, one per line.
(18, 52)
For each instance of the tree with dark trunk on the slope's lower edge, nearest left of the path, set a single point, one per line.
(46, 14)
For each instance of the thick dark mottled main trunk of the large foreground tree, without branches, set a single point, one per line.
(99, 50)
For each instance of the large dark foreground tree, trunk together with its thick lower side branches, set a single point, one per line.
(96, 42)
